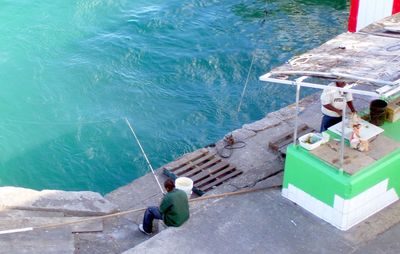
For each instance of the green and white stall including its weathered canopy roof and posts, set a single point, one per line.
(335, 182)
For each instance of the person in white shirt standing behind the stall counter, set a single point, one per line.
(332, 103)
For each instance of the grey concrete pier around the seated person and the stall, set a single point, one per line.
(257, 222)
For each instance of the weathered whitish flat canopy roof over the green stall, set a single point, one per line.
(371, 56)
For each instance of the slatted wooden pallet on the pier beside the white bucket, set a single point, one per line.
(207, 170)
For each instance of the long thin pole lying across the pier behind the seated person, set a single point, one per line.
(222, 195)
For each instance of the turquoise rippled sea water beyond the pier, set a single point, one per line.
(72, 70)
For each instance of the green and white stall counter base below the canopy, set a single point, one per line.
(345, 198)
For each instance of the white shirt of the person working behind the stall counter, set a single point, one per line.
(336, 98)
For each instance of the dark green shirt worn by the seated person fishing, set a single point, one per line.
(175, 208)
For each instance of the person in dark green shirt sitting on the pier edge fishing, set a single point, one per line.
(173, 210)
